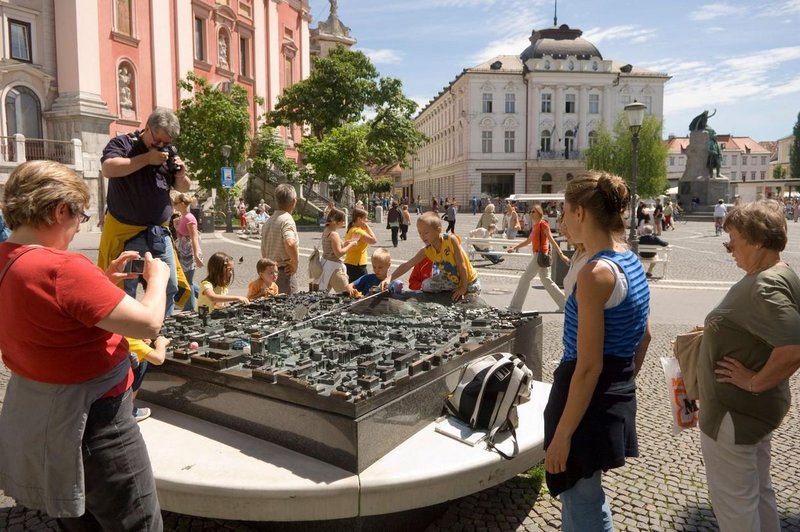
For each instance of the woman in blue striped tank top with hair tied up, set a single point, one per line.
(589, 420)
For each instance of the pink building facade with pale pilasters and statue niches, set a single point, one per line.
(73, 73)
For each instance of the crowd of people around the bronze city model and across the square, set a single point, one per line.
(79, 347)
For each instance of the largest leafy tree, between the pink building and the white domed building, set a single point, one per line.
(333, 102)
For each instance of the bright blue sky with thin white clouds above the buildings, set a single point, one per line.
(740, 57)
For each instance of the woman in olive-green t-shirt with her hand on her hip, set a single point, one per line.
(750, 348)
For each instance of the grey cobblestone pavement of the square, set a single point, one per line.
(664, 489)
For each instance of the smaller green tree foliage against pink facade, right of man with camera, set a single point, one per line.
(209, 119)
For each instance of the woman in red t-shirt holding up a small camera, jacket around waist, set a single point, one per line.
(71, 446)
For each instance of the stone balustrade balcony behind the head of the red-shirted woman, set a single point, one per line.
(16, 149)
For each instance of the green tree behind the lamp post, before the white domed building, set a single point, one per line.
(612, 153)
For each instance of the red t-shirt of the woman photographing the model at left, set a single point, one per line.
(51, 301)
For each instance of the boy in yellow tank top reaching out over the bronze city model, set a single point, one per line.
(455, 272)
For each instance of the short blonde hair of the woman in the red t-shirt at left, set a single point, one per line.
(34, 190)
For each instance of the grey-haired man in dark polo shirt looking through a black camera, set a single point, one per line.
(141, 168)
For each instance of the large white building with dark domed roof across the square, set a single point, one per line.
(520, 124)
